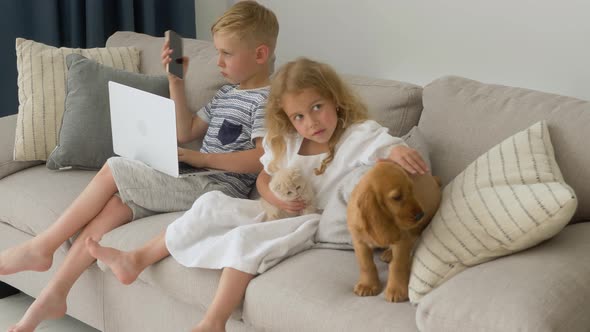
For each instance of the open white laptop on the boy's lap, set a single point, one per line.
(144, 129)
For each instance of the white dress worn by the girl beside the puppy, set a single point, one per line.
(220, 231)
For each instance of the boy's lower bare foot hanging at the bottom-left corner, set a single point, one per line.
(47, 306)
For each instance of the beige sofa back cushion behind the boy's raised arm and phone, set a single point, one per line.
(203, 78)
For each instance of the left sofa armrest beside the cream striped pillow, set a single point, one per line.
(7, 163)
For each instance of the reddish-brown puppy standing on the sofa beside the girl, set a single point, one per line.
(388, 208)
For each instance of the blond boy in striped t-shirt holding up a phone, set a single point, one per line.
(232, 128)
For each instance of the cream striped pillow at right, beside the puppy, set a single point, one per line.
(509, 199)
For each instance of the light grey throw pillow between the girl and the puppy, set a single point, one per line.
(332, 230)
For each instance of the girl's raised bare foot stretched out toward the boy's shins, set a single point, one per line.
(123, 264)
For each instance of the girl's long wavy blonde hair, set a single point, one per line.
(296, 76)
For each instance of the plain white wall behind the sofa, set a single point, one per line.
(542, 44)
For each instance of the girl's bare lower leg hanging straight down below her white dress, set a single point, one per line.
(230, 292)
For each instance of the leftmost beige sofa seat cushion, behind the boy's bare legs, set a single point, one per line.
(32, 199)
